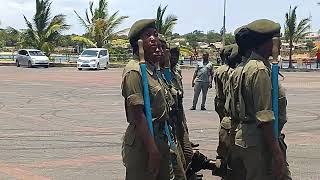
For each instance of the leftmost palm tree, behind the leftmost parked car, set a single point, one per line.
(44, 31)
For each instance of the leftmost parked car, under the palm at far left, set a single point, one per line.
(31, 58)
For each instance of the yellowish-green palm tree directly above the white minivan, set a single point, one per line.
(99, 25)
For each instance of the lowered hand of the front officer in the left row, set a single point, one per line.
(154, 162)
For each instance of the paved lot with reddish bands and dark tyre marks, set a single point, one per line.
(60, 123)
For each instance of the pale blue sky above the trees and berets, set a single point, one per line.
(204, 15)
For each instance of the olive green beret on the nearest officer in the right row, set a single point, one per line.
(264, 26)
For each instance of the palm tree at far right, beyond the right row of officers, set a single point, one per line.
(293, 31)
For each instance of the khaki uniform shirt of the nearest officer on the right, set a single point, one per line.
(255, 101)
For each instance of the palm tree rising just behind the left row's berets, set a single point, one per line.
(166, 26)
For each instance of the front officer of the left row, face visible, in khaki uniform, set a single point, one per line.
(144, 156)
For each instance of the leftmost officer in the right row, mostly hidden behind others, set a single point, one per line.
(231, 59)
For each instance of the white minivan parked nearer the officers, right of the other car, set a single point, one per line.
(93, 58)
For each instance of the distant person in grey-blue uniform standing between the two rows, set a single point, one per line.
(202, 81)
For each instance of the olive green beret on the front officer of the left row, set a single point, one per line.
(138, 26)
